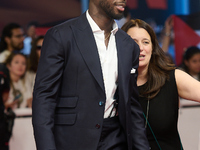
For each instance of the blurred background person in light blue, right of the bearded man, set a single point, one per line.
(30, 36)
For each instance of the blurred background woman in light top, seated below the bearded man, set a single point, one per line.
(20, 94)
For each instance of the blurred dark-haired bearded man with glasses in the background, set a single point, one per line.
(12, 39)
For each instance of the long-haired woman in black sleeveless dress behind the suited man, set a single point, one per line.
(160, 86)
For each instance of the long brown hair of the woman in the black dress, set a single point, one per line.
(159, 65)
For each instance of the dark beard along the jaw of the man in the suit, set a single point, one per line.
(109, 10)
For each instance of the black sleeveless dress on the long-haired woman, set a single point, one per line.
(163, 116)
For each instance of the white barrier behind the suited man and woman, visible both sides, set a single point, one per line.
(188, 124)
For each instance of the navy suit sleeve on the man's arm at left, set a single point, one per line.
(48, 78)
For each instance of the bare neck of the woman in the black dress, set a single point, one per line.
(142, 76)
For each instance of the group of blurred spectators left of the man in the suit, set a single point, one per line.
(18, 70)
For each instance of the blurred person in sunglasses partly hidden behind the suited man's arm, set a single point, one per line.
(34, 59)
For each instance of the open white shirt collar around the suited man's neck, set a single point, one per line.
(95, 27)
